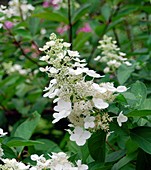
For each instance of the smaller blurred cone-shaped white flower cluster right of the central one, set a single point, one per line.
(111, 55)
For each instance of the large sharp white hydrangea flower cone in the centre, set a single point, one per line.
(81, 101)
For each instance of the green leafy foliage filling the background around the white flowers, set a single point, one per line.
(27, 116)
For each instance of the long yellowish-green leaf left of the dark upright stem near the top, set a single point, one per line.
(52, 16)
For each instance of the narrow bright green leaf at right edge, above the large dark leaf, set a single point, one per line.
(140, 113)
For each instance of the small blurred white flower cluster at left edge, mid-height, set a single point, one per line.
(10, 68)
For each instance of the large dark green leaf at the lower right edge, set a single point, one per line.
(142, 136)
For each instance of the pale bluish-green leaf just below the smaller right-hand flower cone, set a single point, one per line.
(123, 73)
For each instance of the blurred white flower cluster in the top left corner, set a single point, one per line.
(15, 8)
